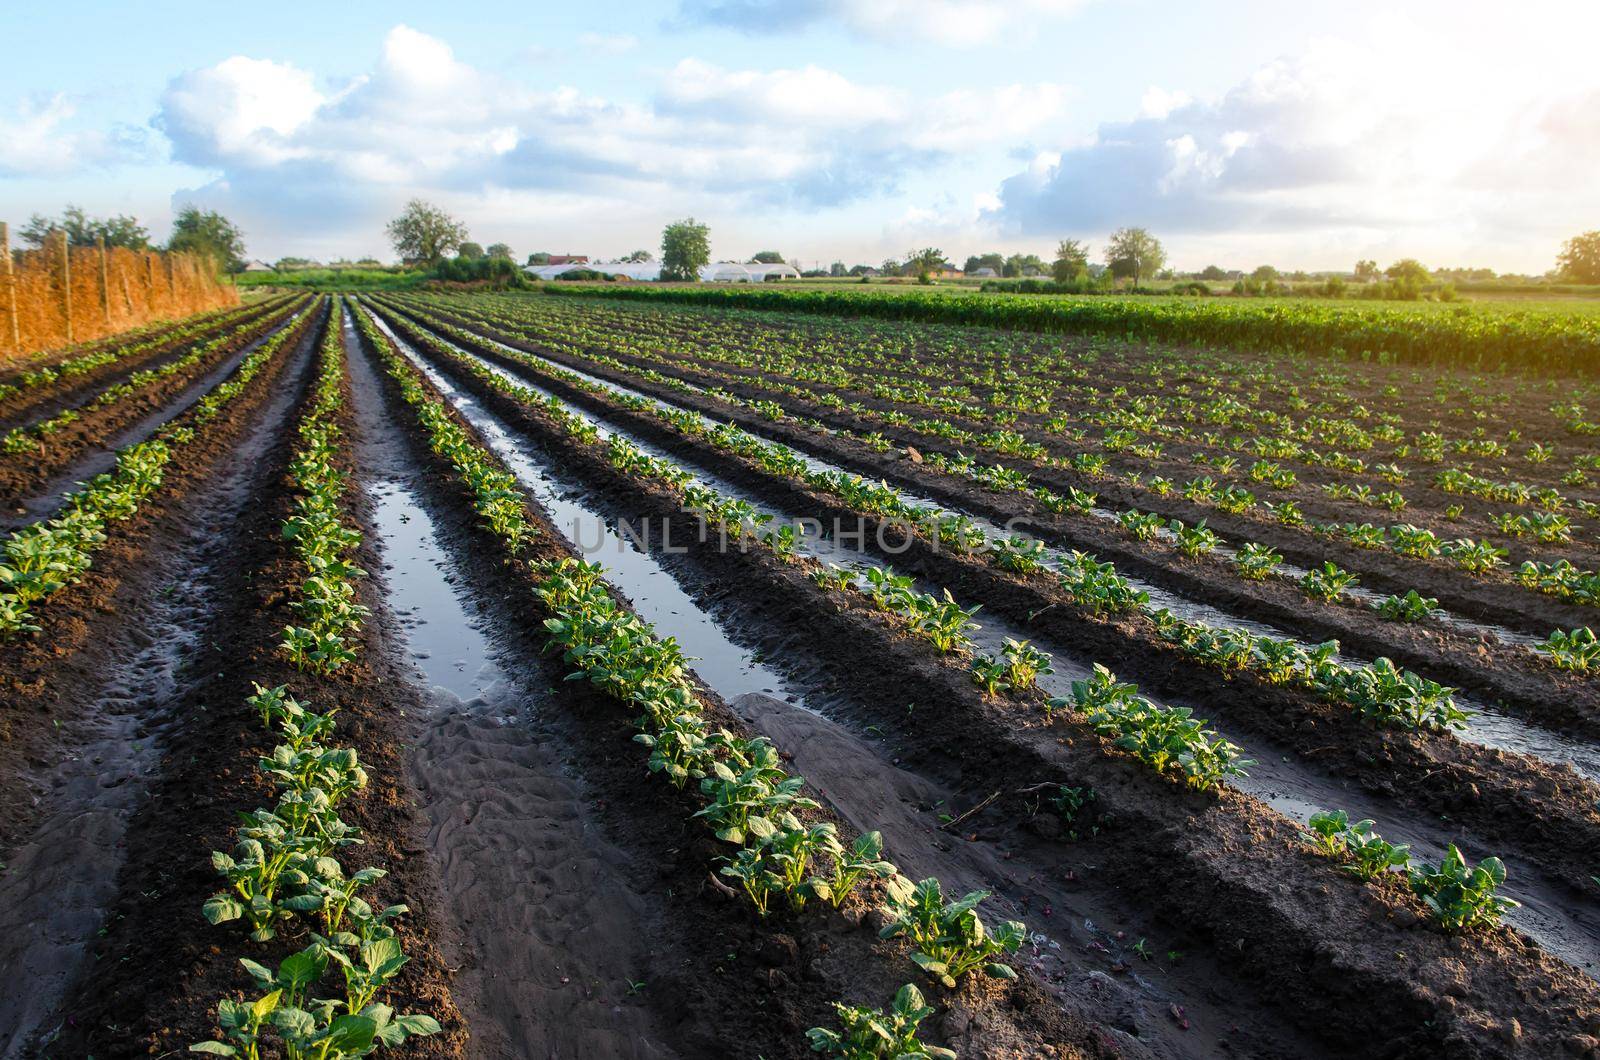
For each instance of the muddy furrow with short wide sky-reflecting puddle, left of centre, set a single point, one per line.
(554, 936)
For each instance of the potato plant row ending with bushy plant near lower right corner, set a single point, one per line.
(1164, 739)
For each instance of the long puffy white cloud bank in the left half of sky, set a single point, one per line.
(423, 119)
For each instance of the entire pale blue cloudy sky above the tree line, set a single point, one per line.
(1239, 134)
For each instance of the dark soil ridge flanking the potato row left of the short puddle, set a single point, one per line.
(161, 968)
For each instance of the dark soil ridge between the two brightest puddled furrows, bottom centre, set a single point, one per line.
(732, 984)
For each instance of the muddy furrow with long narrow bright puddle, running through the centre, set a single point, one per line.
(1076, 933)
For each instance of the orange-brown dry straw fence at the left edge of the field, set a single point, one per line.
(63, 295)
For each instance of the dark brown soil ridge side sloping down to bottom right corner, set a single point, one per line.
(1223, 867)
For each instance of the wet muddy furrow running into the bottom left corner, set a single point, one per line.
(57, 886)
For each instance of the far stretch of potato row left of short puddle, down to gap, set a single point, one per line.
(329, 612)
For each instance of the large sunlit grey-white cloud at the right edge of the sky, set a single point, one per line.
(1316, 145)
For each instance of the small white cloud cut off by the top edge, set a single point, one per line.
(954, 23)
